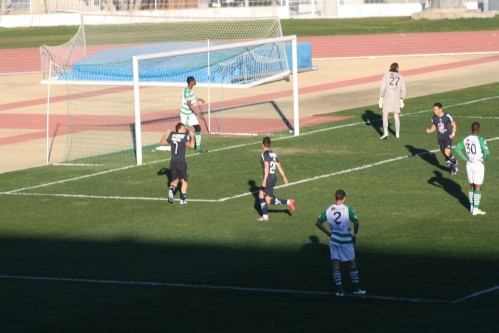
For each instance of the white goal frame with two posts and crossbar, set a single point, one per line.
(137, 83)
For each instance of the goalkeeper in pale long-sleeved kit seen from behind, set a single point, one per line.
(391, 100)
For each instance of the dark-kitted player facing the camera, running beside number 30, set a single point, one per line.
(446, 127)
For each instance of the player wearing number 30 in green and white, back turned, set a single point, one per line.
(477, 154)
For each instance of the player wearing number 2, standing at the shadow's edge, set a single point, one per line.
(339, 216)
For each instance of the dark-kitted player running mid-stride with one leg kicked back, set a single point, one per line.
(270, 162)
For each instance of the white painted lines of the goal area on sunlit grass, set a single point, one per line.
(233, 147)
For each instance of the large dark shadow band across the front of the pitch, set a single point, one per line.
(130, 286)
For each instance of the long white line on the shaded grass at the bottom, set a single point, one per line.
(218, 287)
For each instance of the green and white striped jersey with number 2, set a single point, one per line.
(338, 218)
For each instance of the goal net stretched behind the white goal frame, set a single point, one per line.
(124, 81)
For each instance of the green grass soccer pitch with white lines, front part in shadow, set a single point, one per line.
(92, 249)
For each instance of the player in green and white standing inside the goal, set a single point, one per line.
(188, 114)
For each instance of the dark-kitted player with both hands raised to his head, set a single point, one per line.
(178, 140)
